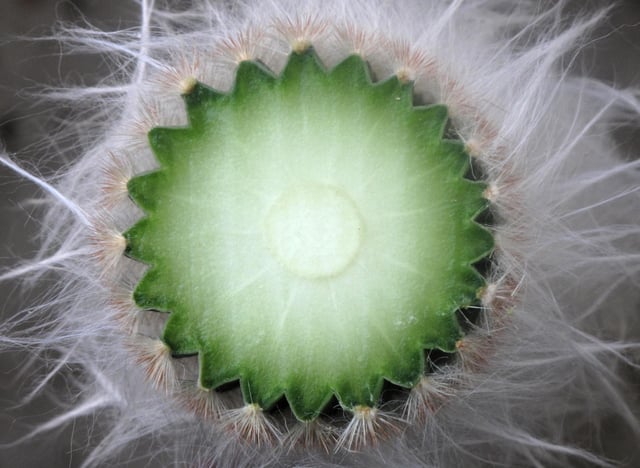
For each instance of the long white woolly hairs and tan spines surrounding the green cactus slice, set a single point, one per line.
(558, 313)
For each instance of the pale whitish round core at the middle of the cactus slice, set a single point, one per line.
(314, 230)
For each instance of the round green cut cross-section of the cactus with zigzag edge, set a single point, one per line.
(311, 234)
